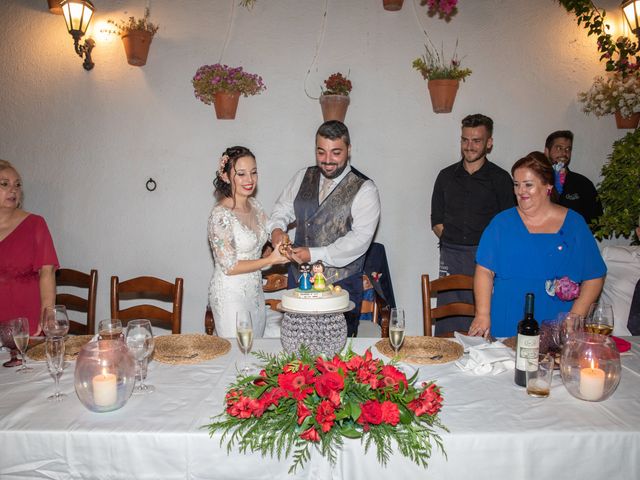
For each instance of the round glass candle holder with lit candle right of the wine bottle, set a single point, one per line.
(590, 366)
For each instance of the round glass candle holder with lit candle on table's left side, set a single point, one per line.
(105, 375)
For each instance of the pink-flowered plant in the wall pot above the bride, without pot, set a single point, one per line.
(211, 79)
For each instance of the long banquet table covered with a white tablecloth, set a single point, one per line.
(496, 430)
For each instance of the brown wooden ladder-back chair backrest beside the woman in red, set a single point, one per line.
(66, 277)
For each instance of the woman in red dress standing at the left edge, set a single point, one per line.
(28, 258)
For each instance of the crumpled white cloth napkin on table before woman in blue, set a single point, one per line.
(484, 357)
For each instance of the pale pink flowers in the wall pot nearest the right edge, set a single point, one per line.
(612, 93)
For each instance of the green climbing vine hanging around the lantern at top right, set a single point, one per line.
(621, 54)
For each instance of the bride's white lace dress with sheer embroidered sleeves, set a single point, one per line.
(236, 236)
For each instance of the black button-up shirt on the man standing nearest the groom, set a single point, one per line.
(465, 204)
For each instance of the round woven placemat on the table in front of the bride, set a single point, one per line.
(189, 348)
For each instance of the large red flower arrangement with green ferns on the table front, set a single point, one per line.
(298, 402)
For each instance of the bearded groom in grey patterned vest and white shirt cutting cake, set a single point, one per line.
(336, 211)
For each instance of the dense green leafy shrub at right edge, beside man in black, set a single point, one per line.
(619, 189)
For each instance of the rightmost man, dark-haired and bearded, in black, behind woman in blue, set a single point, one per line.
(576, 191)
